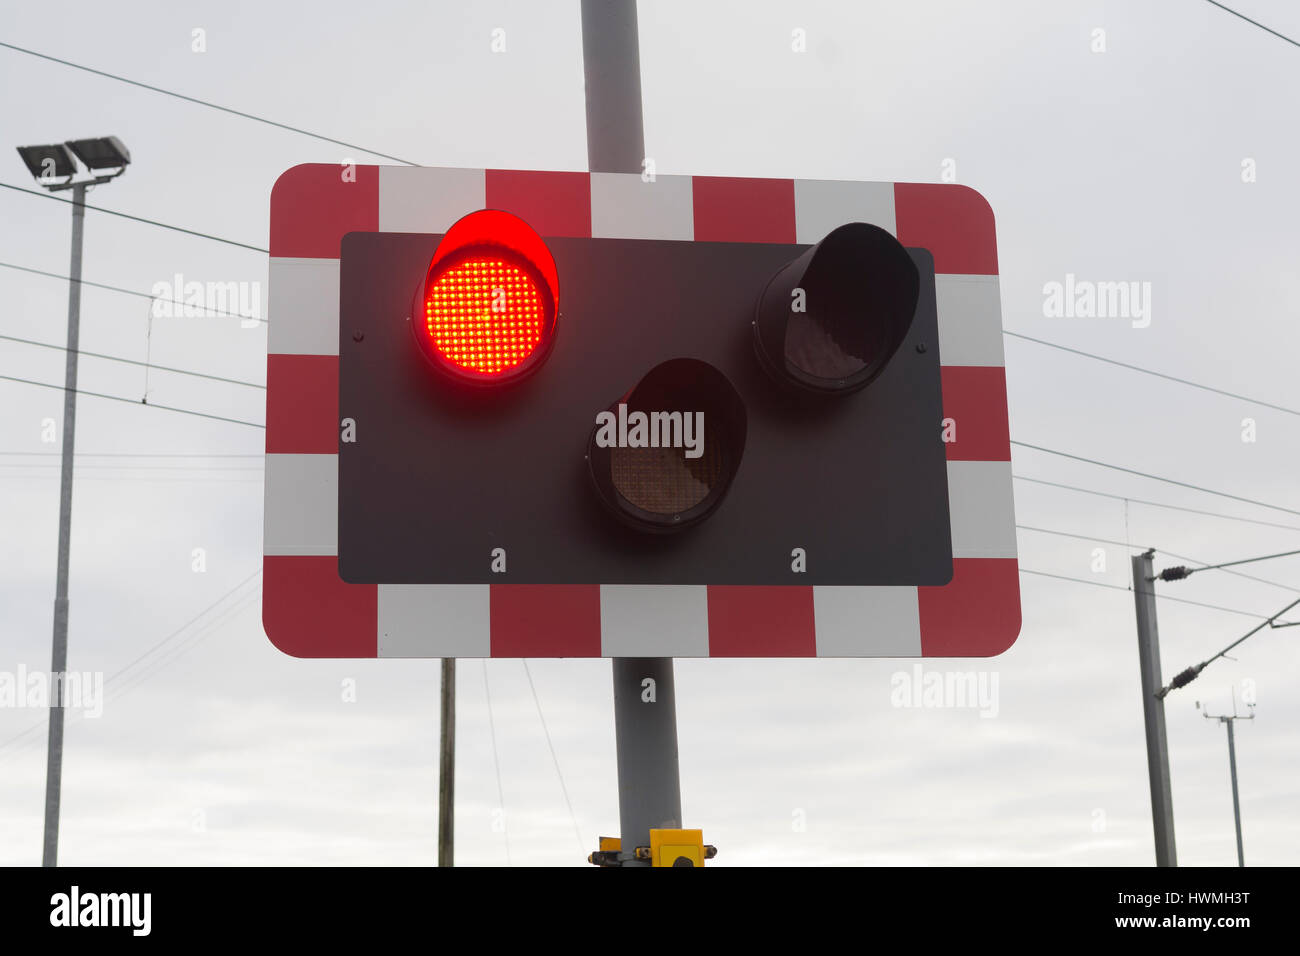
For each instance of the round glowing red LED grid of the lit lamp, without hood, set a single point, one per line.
(486, 315)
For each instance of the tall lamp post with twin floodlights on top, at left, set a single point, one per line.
(55, 168)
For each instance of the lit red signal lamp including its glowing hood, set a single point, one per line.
(489, 300)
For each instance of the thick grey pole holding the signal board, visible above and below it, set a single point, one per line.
(645, 716)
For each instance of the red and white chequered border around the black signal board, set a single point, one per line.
(310, 612)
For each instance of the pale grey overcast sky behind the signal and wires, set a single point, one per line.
(1116, 166)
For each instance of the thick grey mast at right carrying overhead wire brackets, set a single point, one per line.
(1154, 712)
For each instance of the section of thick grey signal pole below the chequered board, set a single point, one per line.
(645, 729)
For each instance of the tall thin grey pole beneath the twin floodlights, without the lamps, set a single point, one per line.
(59, 663)
